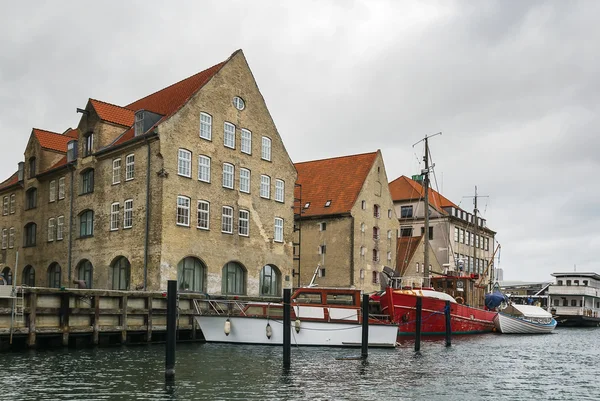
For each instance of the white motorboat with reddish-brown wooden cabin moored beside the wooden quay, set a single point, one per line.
(320, 317)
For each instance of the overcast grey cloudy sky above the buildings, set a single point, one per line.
(512, 85)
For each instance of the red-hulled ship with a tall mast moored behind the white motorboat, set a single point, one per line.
(399, 298)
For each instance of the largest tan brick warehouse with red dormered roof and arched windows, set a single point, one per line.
(191, 182)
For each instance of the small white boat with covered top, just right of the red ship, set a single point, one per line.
(524, 319)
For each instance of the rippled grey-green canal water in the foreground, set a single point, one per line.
(560, 366)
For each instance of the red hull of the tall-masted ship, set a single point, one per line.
(401, 307)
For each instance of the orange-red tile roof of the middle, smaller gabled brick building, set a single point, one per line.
(338, 180)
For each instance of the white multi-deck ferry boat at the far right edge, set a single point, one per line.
(574, 299)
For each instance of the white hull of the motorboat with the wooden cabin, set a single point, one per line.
(252, 330)
